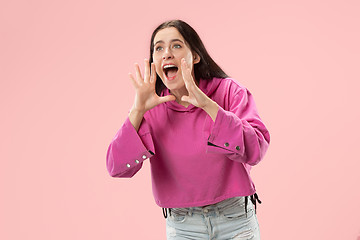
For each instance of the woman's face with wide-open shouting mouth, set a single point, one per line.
(169, 49)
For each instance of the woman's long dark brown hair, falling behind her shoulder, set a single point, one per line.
(205, 69)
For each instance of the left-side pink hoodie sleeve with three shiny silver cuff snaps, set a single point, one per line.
(128, 149)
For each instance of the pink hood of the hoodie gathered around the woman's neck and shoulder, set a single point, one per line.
(207, 86)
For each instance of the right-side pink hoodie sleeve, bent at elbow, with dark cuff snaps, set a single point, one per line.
(238, 132)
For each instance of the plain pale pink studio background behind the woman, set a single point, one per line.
(64, 92)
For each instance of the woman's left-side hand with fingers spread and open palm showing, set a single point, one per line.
(146, 97)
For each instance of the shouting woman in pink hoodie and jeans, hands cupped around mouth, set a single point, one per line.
(202, 134)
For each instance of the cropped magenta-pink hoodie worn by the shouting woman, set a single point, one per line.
(194, 160)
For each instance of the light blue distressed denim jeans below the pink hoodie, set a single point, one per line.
(224, 220)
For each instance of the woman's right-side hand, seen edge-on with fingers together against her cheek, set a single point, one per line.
(196, 97)
